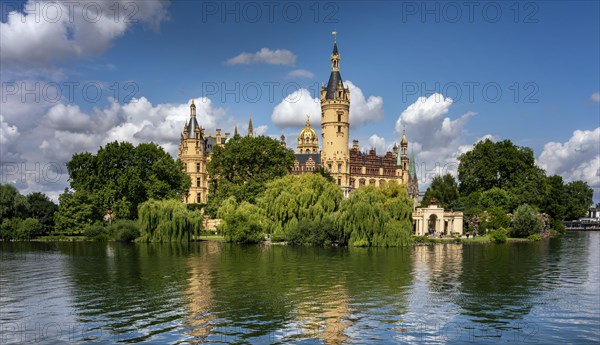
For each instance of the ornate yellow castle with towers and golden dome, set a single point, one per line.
(349, 167)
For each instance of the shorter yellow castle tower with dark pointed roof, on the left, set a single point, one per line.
(193, 156)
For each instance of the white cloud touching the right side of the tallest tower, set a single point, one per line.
(363, 110)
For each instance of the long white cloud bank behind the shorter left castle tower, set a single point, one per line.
(67, 129)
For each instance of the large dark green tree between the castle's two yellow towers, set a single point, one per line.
(243, 167)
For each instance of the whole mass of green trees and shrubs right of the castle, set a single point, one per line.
(495, 178)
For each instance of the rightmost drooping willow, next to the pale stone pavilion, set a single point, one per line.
(376, 216)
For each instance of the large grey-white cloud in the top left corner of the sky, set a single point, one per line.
(46, 32)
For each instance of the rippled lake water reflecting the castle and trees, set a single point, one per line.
(544, 292)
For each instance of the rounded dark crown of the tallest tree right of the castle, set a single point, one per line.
(489, 164)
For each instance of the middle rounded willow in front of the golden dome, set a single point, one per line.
(301, 208)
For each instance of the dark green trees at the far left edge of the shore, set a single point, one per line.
(24, 217)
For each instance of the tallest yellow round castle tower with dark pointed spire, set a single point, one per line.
(335, 124)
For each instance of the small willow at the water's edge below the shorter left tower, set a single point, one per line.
(168, 221)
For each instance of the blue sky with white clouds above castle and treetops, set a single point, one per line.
(544, 57)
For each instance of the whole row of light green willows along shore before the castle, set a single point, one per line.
(310, 210)
